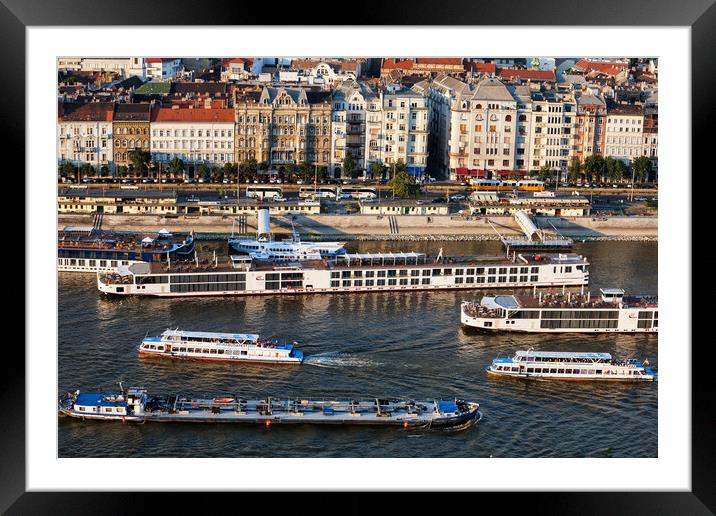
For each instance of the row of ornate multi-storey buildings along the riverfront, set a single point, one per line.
(439, 120)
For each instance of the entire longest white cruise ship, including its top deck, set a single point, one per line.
(368, 272)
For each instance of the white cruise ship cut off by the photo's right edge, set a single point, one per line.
(556, 313)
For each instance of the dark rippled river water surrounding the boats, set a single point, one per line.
(389, 344)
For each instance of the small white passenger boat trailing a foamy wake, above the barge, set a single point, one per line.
(229, 347)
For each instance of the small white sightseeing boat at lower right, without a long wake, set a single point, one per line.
(554, 365)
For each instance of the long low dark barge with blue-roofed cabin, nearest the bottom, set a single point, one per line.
(136, 406)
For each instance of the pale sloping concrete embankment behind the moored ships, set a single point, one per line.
(365, 227)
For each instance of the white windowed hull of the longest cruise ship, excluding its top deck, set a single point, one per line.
(304, 280)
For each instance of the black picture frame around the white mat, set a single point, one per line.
(700, 15)
